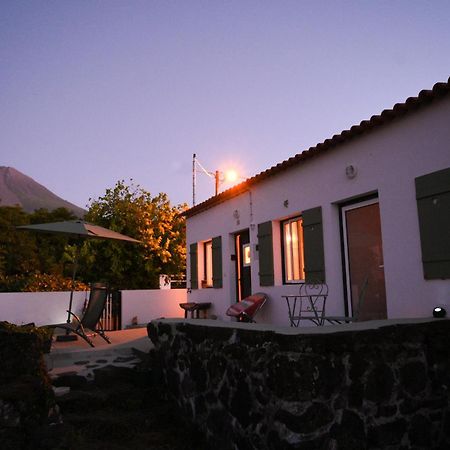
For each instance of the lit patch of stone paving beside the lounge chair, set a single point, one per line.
(78, 358)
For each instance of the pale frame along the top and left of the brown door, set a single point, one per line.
(355, 204)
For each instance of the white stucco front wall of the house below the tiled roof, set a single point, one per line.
(388, 160)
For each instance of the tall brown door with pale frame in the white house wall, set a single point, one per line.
(364, 261)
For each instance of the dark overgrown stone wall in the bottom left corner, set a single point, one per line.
(27, 402)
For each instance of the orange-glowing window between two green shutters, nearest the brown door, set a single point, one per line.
(294, 265)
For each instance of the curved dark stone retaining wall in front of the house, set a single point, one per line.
(250, 388)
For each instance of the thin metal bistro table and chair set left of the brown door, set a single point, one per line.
(308, 304)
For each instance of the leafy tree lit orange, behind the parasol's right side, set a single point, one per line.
(132, 211)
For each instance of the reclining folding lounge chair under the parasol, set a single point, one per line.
(91, 316)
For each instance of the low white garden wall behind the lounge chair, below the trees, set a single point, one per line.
(45, 308)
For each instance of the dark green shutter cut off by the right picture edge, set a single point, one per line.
(433, 206)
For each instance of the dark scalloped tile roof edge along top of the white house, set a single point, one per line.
(424, 98)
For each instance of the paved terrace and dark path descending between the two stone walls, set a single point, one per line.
(118, 409)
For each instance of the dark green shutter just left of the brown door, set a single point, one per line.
(313, 245)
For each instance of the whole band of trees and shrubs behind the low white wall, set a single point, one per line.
(32, 261)
